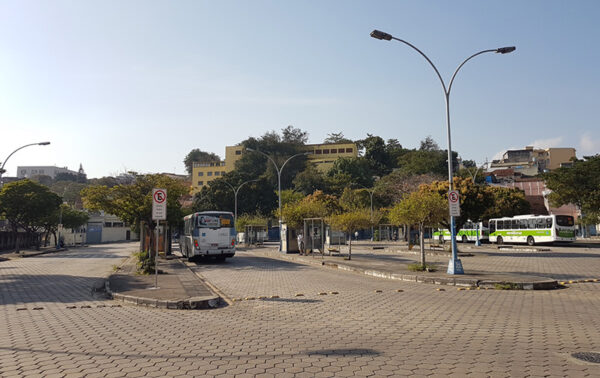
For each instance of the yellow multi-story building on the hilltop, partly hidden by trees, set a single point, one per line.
(322, 155)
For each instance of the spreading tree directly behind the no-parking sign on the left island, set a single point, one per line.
(133, 202)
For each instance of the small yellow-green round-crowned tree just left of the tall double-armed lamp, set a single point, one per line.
(422, 208)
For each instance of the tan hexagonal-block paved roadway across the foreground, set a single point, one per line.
(368, 329)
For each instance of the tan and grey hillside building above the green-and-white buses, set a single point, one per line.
(530, 161)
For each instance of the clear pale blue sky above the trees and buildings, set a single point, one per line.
(123, 86)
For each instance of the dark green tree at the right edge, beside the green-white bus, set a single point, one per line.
(579, 185)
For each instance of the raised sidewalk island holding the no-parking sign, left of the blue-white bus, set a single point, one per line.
(178, 287)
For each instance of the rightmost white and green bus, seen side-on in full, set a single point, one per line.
(532, 229)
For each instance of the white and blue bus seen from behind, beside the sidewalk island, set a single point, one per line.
(208, 234)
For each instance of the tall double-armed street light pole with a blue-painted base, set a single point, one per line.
(455, 265)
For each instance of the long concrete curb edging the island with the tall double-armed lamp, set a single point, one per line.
(545, 284)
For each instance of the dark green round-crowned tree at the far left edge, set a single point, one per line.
(26, 204)
